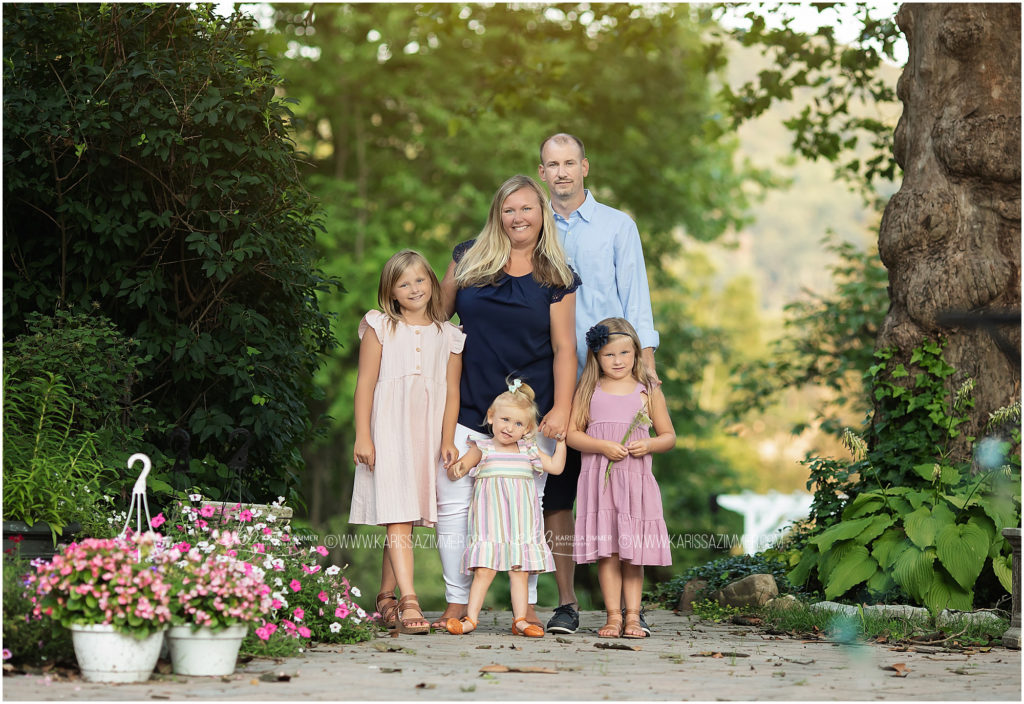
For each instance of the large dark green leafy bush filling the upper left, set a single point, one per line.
(148, 169)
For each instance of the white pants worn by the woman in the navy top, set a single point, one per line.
(453, 520)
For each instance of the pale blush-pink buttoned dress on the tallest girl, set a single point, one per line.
(406, 423)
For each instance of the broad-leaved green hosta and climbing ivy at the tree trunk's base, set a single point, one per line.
(911, 520)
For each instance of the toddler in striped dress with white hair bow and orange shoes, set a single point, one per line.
(506, 529)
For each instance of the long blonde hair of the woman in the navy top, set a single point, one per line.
(485, 261)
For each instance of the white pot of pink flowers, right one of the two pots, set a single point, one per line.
(218, 596)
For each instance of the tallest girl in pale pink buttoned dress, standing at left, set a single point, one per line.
(407, 402)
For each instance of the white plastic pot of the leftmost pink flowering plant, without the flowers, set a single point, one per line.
(108, 656)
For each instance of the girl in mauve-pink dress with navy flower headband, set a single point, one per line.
(619, 505)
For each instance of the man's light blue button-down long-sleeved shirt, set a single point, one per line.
(604, 246)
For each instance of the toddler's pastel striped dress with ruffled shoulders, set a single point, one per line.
(506, 531)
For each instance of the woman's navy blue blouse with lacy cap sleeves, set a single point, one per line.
(508, 333)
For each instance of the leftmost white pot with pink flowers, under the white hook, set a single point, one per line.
(112, 595)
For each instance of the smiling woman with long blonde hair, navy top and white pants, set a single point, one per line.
(515, 294)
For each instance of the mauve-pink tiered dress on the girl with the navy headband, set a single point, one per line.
(623, 516)
